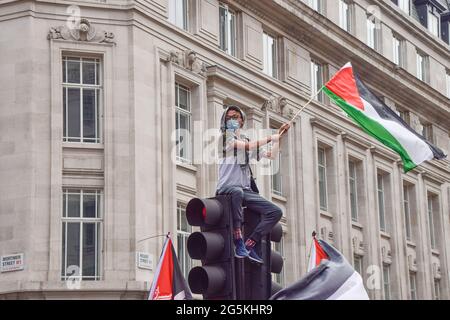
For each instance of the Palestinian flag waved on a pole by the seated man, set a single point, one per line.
(378, 120)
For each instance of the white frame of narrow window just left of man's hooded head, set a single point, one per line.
(187, 113)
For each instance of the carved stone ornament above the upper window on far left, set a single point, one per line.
(81, 31)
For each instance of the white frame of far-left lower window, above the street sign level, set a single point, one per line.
(97, 220)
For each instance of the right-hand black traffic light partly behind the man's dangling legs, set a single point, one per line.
(258, 278)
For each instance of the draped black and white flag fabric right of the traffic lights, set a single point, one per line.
(333, 279)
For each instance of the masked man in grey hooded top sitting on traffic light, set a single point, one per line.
(236, 179)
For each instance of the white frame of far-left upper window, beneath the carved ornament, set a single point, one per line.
(98, 97)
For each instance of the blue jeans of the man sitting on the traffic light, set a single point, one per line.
(270, 213)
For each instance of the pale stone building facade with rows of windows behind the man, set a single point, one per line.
(93, 171)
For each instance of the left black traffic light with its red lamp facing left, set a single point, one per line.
(215, 279)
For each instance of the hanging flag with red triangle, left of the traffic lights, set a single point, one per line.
(169, 283)
